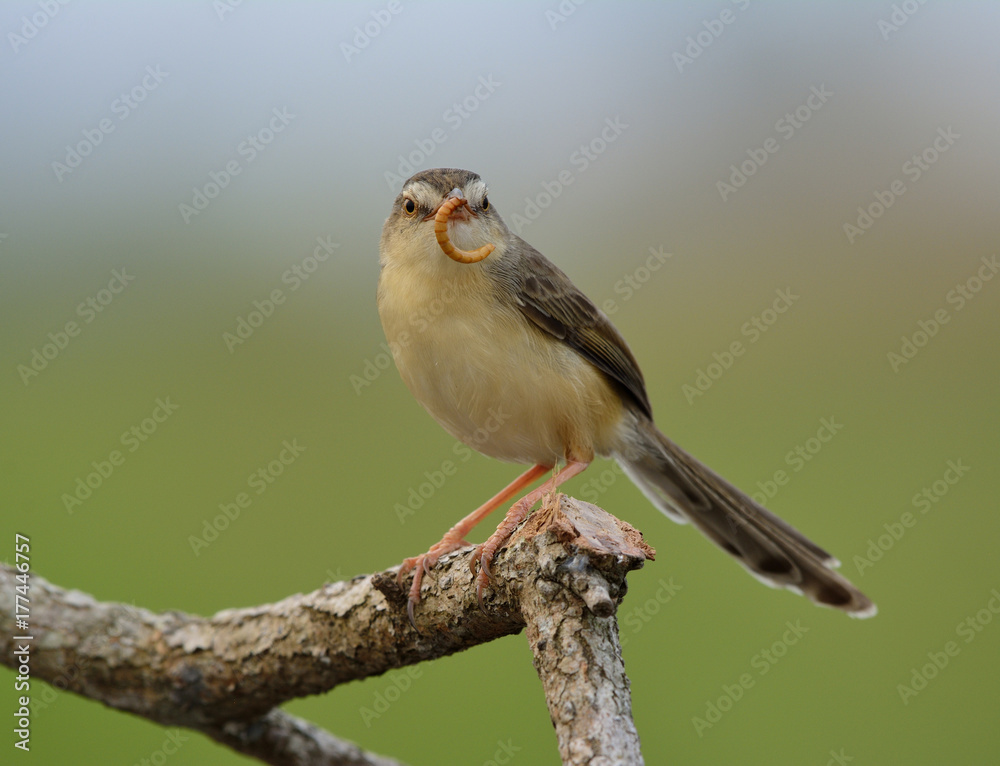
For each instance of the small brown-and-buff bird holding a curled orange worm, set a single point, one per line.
(513, 360)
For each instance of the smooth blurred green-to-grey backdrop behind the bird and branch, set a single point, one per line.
(701, 87)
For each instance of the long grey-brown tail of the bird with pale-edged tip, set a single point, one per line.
(772, 550)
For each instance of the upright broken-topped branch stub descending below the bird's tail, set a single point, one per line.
(576, 649)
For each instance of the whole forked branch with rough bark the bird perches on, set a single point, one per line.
(563, 574)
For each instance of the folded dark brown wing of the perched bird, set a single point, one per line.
(549, 299)
